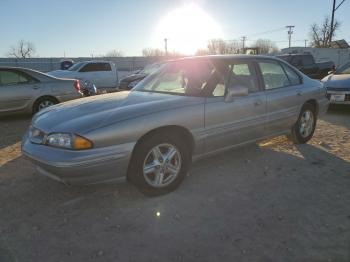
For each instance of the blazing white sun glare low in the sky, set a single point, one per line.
(187, 29)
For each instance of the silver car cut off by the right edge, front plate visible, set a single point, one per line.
(338, 85)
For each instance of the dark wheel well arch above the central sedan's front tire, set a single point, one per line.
(182, 132)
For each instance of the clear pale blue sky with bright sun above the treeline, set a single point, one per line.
(94, 27)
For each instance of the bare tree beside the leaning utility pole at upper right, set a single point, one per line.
(321, 35)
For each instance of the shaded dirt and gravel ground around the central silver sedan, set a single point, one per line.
(272, 201)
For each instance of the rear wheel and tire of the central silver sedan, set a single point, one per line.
(304, 128)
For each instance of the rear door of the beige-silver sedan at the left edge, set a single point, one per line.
(17, 89)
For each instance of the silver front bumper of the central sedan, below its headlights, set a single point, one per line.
(99, 165)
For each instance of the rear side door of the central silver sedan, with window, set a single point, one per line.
(283, 90)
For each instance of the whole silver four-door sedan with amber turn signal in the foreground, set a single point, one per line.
(189, 109)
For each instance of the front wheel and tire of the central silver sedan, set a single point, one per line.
(154, 176)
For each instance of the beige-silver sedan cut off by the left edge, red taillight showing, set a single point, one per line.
(28, 91)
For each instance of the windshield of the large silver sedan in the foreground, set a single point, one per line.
(185, 77)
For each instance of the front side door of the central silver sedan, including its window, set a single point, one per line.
(239, 121)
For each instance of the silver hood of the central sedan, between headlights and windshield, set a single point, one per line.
(83, 115)
